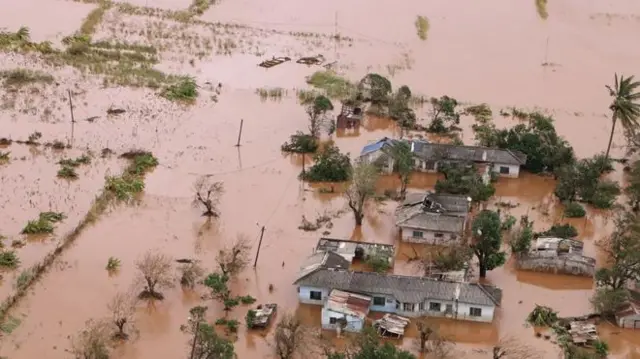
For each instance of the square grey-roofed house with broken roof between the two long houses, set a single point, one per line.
(433, 218)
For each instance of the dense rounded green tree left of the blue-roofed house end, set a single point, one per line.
(330, 166)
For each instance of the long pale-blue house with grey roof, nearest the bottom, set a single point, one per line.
(402, 295)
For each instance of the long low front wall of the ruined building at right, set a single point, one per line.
(557, 265)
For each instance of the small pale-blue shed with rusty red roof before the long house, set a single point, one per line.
(345, 311)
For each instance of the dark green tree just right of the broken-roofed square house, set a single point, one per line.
(487, 235)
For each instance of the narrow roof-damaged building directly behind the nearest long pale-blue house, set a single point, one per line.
(350, 250)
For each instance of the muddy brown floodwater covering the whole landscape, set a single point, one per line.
(474, 52)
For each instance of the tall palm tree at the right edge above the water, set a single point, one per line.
(624, 106)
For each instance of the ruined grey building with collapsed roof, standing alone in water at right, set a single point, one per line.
(557, 255)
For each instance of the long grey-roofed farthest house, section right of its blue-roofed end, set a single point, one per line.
(504, 162)
